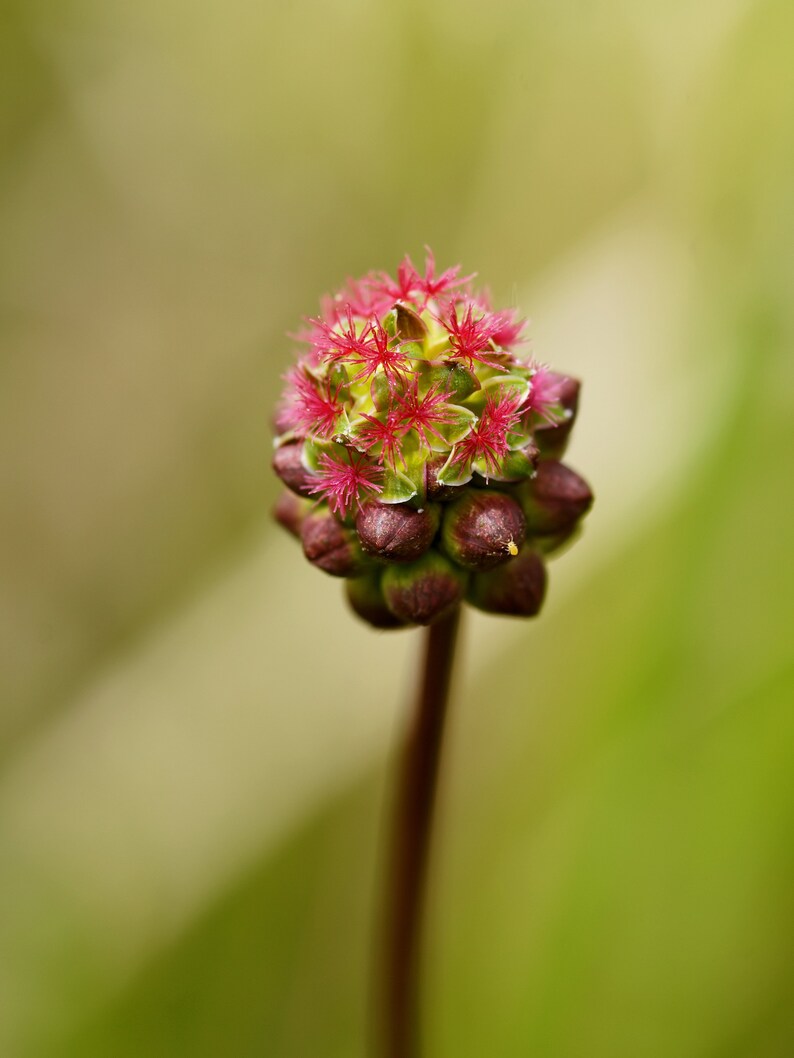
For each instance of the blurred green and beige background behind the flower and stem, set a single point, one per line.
(196, 741)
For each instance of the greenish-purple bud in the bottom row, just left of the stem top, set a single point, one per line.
(426, 590)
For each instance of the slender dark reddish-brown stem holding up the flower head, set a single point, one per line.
(411, 842)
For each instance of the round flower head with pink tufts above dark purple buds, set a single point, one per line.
(416, 423)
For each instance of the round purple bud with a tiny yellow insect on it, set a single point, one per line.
(483, 530)
